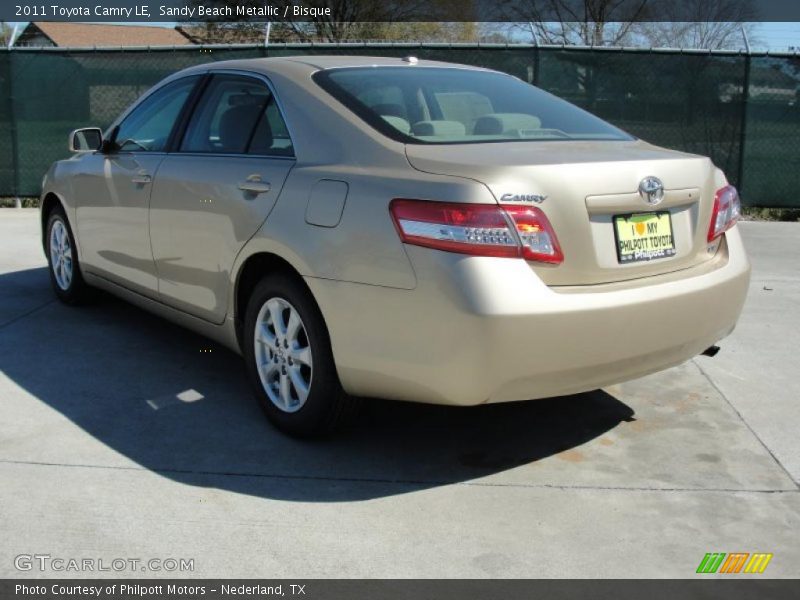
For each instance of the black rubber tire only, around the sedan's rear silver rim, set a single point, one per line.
(326, 406)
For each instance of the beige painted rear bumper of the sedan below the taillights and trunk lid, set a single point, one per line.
(478, 330)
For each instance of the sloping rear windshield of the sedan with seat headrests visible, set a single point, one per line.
(434, 105)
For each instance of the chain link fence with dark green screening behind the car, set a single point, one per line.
(742, 110)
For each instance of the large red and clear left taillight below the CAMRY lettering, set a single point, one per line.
(479, 229)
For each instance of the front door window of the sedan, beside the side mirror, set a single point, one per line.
(147, 128)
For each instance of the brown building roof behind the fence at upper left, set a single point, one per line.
(78, 35)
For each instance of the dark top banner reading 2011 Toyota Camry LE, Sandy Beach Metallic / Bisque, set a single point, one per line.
(352, 11)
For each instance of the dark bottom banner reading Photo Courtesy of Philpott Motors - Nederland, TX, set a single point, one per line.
(742, 587)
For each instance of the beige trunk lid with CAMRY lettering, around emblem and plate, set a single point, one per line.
(586, 184)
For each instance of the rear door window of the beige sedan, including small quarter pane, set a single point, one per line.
(237, 115)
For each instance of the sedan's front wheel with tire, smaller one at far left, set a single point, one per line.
(62, 257)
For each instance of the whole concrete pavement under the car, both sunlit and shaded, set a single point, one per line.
(123, 436)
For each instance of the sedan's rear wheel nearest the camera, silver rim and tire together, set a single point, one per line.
(290, 361)
